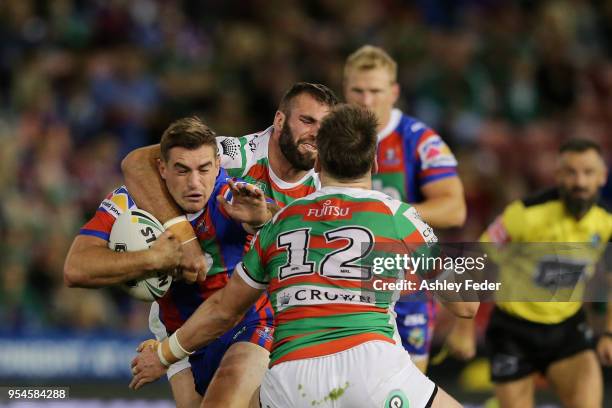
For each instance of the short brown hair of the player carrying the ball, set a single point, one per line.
(190, 133)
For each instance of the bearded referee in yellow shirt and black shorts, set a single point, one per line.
(552, 337)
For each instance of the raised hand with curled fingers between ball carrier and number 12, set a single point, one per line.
(248, 204)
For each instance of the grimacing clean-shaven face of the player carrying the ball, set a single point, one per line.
(190, 176)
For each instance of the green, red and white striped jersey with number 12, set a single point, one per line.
(315, 259)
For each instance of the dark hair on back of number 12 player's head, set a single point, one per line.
(346, 141)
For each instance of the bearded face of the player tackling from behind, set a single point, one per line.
(299, 131)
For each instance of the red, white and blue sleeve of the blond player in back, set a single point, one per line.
(434, 158)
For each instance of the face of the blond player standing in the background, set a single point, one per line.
(373, 89)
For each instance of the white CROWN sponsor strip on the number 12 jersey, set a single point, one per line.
(317, 295)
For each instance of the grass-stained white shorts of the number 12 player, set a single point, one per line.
(373, 374)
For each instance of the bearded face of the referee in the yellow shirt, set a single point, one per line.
(580, 176)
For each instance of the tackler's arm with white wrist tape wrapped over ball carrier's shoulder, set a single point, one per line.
(149, 191)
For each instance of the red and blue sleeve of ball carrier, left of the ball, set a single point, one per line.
(110, 208)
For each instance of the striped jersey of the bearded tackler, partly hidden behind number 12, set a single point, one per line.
(246, 157)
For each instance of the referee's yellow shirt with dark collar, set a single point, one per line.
(539, 220)
